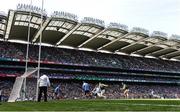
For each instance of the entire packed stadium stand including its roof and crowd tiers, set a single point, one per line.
(89, 50)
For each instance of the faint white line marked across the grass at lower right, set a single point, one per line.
(159, 105)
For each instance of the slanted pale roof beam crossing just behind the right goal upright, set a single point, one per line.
(45, 24)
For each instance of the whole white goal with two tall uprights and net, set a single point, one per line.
(25, 86)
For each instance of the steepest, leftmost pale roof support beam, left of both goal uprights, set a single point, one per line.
(9, 24)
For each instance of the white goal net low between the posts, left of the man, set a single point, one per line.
(24, 87)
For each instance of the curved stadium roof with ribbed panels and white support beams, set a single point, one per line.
(64, 29)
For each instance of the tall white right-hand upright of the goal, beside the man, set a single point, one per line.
(39, 57)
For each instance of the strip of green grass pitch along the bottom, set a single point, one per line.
(94, 105)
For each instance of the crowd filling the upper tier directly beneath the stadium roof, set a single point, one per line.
(77, 57)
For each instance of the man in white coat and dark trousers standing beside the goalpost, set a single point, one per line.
(43, 84)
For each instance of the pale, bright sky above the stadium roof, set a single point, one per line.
(153, 15)
